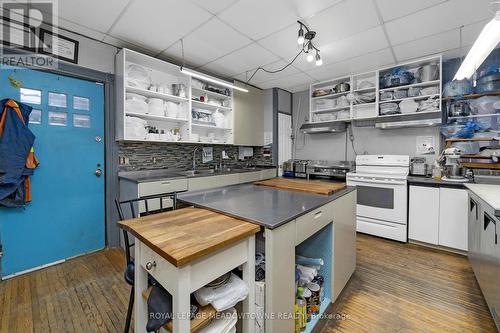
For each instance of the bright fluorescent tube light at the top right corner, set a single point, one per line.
(486, 42)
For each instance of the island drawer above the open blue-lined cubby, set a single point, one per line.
(307, 225)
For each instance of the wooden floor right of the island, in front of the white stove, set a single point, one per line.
(408, 288)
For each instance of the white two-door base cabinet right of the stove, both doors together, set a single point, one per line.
(439, 216)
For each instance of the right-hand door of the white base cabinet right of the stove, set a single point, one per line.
(453, 217)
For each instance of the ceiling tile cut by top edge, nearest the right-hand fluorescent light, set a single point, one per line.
(446, 16)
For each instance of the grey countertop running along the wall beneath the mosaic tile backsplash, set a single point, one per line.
(167, 174)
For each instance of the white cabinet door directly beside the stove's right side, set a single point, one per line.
(423, 216)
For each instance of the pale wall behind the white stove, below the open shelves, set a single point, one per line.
(366, 140)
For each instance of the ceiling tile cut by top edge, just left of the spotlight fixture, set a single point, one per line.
(259, 18)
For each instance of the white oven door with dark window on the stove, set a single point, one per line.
(380, 198)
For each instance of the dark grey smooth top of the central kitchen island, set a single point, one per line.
(266, 206)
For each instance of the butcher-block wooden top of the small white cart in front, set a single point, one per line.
(184, 235)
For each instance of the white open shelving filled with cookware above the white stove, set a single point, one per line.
(368, 84)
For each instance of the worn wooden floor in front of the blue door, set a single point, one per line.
(86, 294)
